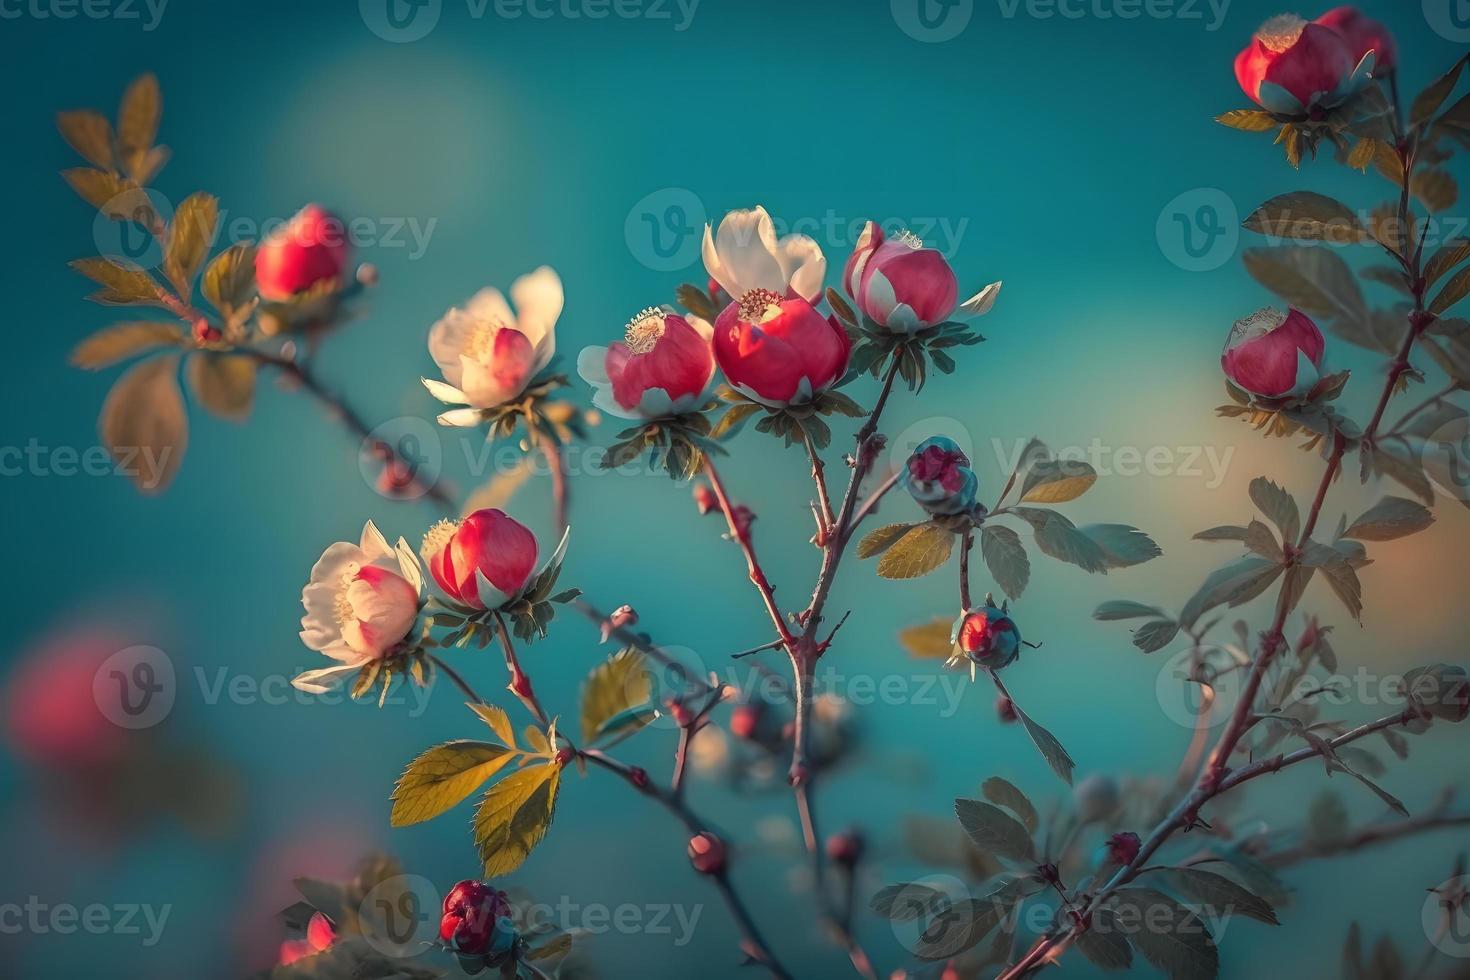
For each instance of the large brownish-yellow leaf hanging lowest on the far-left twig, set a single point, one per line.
(143, 424)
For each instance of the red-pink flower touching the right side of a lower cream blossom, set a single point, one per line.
(484, 561)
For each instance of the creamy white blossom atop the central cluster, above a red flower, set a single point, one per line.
(746, 255)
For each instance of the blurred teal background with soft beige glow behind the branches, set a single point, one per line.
(1069, 151)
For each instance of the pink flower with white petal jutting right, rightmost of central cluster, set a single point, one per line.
(905, 287)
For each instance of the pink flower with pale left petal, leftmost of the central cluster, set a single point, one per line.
(662, 368)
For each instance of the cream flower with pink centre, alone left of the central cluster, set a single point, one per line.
(490, 355)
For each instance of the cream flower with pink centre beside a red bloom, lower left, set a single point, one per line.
(361, 603)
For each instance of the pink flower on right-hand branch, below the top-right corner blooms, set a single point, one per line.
(1274, 355)
